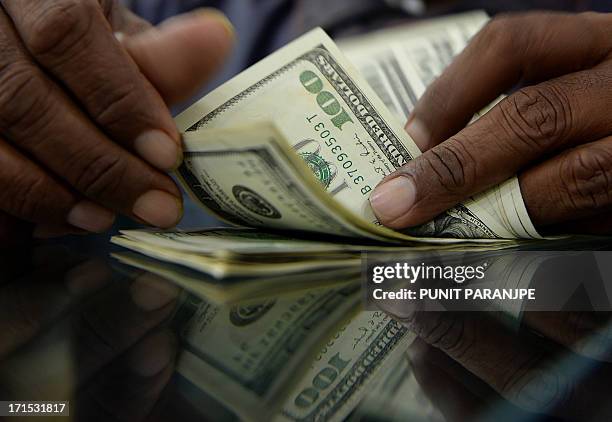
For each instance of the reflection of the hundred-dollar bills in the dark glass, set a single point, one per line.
(289, 358)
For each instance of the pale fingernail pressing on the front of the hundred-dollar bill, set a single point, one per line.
(393, 199)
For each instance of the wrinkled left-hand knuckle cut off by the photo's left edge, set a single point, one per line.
(25, 104)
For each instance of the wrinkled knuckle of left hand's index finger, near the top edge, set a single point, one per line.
(59, 26)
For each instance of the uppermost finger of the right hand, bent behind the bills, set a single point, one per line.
(528, 47)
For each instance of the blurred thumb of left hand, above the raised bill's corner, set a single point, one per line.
(183, 53)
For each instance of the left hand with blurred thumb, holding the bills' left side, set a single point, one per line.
(85, 131)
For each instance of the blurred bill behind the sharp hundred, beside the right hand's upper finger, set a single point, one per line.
(400, 62)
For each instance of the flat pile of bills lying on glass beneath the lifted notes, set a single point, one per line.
(230, 264)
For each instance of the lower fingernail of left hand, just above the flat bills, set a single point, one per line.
(158, 208)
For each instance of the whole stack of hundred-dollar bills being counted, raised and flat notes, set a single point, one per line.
(292, 148)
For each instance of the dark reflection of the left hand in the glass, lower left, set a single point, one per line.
(119, 357)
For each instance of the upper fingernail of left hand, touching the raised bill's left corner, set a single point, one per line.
(157, 148)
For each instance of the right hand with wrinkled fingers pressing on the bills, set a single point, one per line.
(555, 132)
